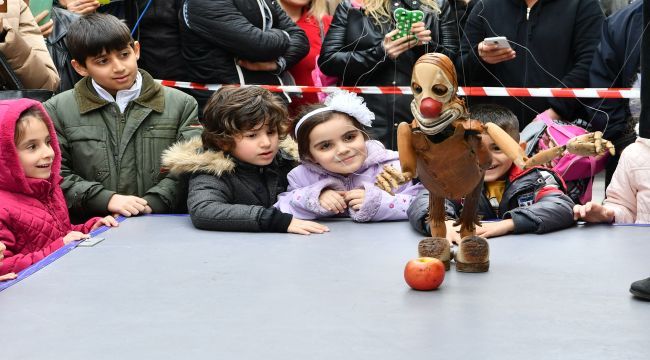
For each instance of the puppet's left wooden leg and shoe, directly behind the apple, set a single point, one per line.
(437, 245)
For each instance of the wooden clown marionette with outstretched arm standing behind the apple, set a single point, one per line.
(442, 148)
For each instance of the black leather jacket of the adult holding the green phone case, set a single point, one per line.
(353, 52)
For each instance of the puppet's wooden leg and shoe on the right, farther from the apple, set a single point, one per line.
(473, 253)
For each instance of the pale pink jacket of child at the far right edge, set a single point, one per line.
(629, 192)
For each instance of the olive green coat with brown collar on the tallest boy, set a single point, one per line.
(106, 152)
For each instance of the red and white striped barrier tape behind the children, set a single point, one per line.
(463, 91)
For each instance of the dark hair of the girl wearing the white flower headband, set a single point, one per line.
(302, 138)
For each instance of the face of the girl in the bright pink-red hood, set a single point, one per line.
(34, 149)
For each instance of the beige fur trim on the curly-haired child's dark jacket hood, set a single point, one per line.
(190, 157)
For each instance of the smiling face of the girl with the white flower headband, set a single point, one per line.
(337, 145)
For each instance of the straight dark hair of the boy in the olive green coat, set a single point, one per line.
(96, 33)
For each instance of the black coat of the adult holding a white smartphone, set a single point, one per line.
(561, 36)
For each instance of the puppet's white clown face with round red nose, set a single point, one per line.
(432, 92)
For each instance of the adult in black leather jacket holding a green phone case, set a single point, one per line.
(360, 49)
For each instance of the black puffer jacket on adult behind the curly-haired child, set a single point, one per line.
(215, 33)
